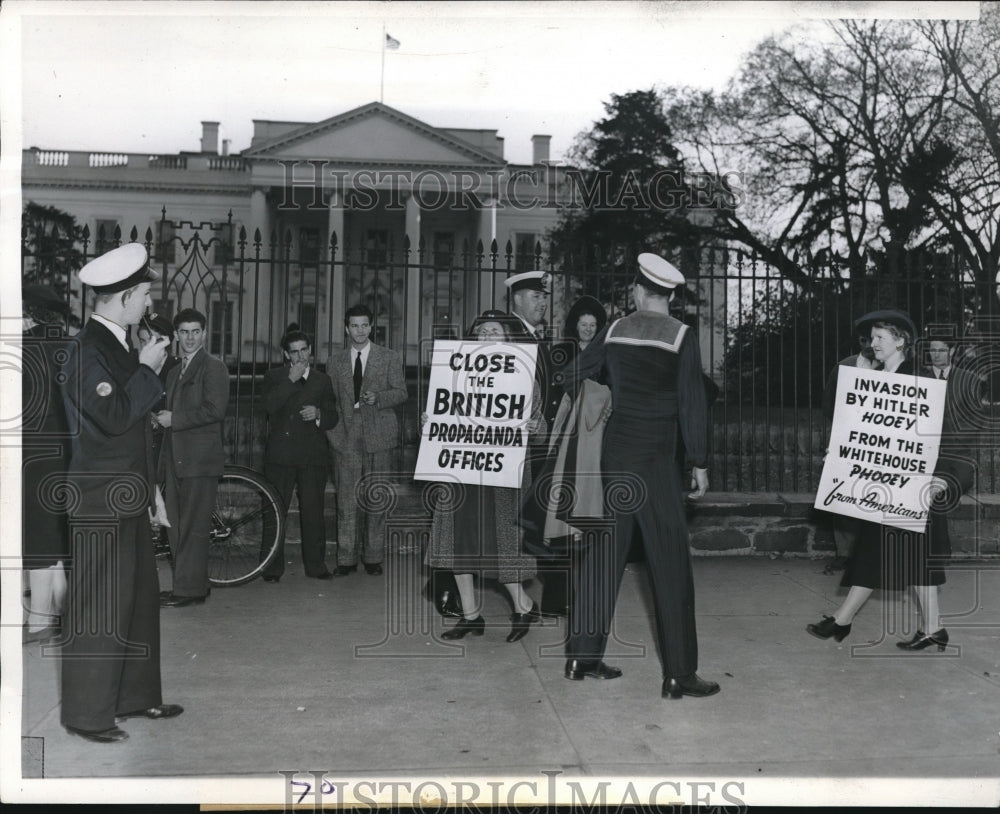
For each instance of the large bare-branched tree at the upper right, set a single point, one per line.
(872, 147)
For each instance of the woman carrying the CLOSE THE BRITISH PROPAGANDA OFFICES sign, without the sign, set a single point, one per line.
(480, 534)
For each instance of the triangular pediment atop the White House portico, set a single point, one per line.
(373, 133)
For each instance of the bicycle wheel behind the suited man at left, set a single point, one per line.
(248, 524)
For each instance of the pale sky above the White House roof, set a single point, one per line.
(141, 76)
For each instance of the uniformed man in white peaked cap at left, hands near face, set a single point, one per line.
(111, 651)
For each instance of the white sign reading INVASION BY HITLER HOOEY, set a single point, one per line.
(883, 447)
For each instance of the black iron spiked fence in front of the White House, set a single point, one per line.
(768, 343)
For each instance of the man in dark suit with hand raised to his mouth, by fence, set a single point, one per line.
(300, 407)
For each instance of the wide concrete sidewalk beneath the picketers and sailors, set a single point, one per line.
(350, 678)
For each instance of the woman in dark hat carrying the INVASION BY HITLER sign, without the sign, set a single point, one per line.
(901, 558)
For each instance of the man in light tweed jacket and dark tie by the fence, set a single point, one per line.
(368, 381)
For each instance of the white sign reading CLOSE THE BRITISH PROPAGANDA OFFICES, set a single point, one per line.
(478, 408)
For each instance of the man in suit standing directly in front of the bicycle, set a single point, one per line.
(192, 457)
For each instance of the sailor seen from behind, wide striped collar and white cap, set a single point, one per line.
(652, 364)
